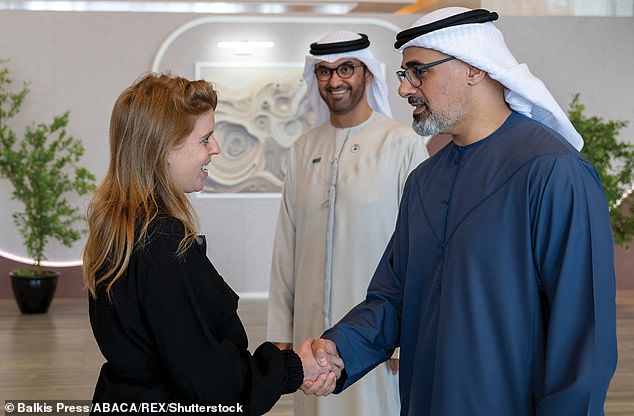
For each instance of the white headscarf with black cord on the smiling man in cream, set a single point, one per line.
(344, 44)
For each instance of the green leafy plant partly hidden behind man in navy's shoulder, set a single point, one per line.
(614, 161)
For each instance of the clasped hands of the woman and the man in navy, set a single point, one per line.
(322, 366)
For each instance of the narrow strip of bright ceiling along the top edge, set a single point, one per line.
(330, 7)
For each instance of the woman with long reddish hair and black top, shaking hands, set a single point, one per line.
(163, 317)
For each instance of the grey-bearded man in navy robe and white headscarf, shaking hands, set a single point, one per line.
(498, 282)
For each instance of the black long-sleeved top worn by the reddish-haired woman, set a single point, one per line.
(170, 333)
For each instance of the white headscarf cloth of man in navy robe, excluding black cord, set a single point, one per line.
(482, 45)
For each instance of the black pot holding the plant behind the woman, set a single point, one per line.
(34, 294)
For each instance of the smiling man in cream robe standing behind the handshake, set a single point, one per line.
(339, 206)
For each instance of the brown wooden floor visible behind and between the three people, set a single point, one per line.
(54, 356)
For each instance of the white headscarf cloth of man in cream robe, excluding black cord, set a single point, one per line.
(376, 93)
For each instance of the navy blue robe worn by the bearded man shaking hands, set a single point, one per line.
(498, 283)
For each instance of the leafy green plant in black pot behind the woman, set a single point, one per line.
(42, 167)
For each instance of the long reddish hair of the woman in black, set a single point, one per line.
(149, 118)
